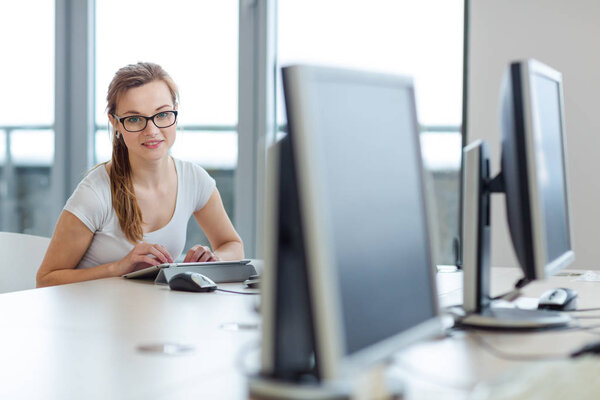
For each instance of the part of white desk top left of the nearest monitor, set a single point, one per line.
(80, 341)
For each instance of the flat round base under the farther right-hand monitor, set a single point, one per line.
(515, 319)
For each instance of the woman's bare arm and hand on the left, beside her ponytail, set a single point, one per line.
(69, 243)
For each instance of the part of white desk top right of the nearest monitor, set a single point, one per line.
(450, 368)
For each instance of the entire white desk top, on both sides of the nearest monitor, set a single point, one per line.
(81, 341)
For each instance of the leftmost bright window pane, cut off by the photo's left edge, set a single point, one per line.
(27, 117)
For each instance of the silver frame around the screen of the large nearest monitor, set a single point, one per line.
(333, 362)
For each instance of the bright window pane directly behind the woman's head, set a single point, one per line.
(196, 42)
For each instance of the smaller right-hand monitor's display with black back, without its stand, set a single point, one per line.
(534, 168)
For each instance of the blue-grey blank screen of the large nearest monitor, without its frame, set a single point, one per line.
(367, 145)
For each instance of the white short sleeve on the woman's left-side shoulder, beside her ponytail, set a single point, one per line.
(87, 204)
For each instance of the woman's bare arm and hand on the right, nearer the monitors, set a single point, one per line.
(225, 241)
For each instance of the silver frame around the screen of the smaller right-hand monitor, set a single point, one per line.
(543, 266)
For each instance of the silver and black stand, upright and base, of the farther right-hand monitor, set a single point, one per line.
(477, 303)
